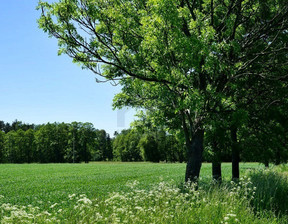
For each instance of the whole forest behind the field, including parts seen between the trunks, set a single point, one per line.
(81, 142)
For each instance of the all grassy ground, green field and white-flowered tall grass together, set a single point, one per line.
(138, 193)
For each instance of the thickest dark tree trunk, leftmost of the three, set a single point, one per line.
(194, 154)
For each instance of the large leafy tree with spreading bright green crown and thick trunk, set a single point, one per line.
(183, 59)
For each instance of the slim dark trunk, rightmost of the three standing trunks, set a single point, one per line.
(235, 154)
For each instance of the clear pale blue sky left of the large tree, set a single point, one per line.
(37, 86)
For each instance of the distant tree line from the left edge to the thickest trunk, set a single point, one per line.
(81, 142)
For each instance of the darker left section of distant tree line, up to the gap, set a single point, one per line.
(53, 143)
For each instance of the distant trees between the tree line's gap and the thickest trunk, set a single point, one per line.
(154, 146)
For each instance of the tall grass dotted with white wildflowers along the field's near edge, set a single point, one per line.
(163, 203)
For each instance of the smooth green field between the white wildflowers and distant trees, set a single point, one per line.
(30, 183)
